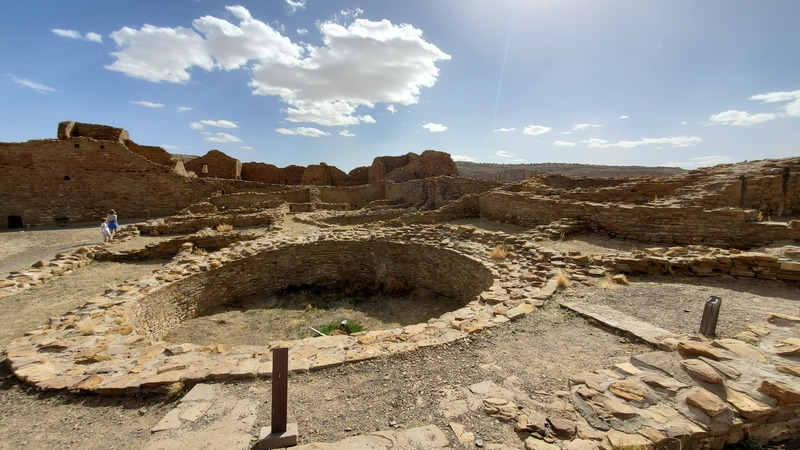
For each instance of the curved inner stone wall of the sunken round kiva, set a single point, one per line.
(327, 264)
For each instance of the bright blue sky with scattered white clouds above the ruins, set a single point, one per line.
(632, 82)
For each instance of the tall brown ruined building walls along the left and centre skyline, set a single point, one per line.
(91, 168)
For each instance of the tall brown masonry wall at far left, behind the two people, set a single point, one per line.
(80, 179)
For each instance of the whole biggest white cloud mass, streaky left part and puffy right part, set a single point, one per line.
(358, 65)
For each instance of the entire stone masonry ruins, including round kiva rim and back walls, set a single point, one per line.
(389, 225)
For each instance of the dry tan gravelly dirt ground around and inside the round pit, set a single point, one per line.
(535, 354)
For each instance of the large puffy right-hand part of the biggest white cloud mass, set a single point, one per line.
(359, 65)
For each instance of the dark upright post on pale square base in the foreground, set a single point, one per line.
(279, 434)
